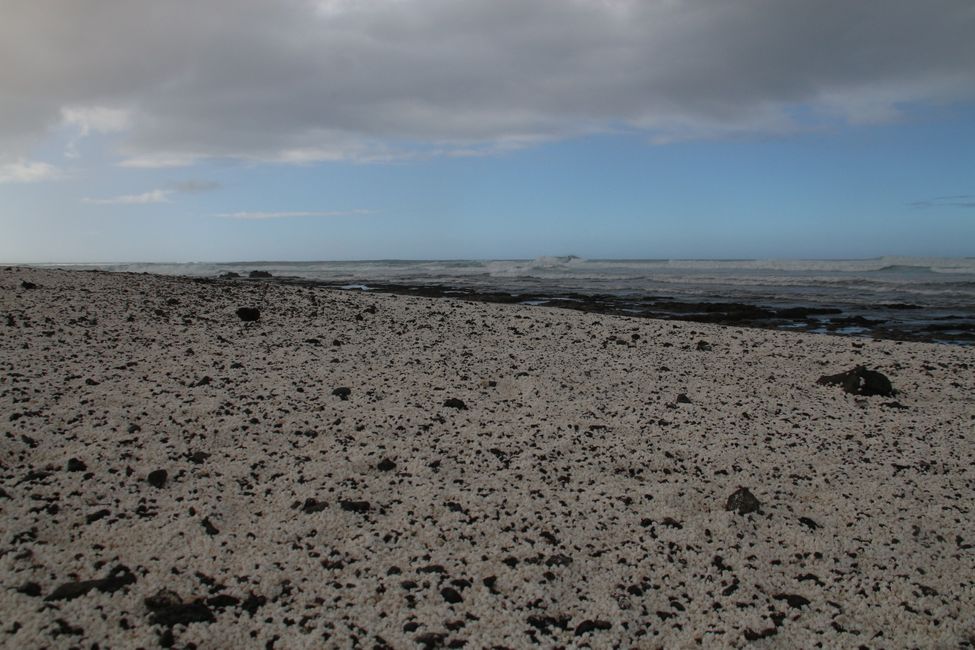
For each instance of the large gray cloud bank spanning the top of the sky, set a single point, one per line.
(303, 80)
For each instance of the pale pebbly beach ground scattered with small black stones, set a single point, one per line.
(575, 501)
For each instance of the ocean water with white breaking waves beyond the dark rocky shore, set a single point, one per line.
(906, 294)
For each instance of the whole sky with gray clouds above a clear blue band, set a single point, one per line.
(232, 130)
